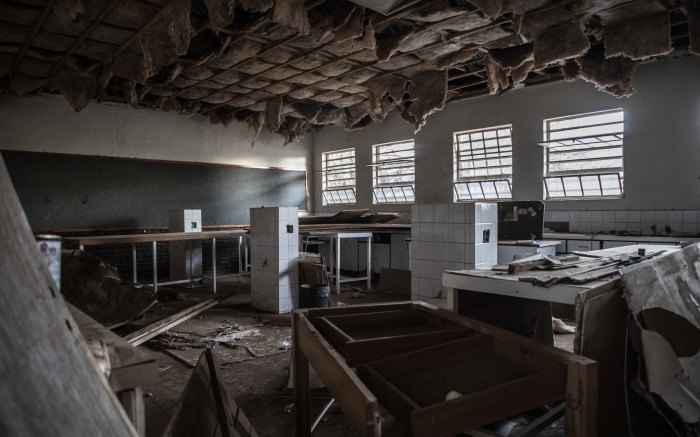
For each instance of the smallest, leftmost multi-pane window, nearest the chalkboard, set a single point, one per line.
(338, 169)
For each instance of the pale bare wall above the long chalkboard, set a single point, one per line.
(48, 124)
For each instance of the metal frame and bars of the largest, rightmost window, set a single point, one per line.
(580, 145)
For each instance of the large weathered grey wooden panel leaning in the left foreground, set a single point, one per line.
(49, 382)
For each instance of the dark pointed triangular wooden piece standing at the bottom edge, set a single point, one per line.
(206, 408)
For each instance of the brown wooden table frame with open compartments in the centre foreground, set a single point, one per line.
(489, 373)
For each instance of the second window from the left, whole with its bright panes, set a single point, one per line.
(394, 172)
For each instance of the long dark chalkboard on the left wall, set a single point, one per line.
(61, 191)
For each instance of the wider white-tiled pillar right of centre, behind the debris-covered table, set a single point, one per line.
(449, 237)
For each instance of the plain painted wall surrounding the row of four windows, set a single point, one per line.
(662, 140)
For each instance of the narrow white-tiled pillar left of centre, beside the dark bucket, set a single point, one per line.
(274, 259)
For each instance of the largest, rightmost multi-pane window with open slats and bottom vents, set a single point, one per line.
(584, 155)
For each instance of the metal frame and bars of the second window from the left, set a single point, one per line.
(380, 163)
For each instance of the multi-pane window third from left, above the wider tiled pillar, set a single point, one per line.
(483, 164)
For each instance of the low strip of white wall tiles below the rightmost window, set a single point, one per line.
(636, 221)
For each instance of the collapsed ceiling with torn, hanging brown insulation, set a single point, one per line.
(295, 65)
